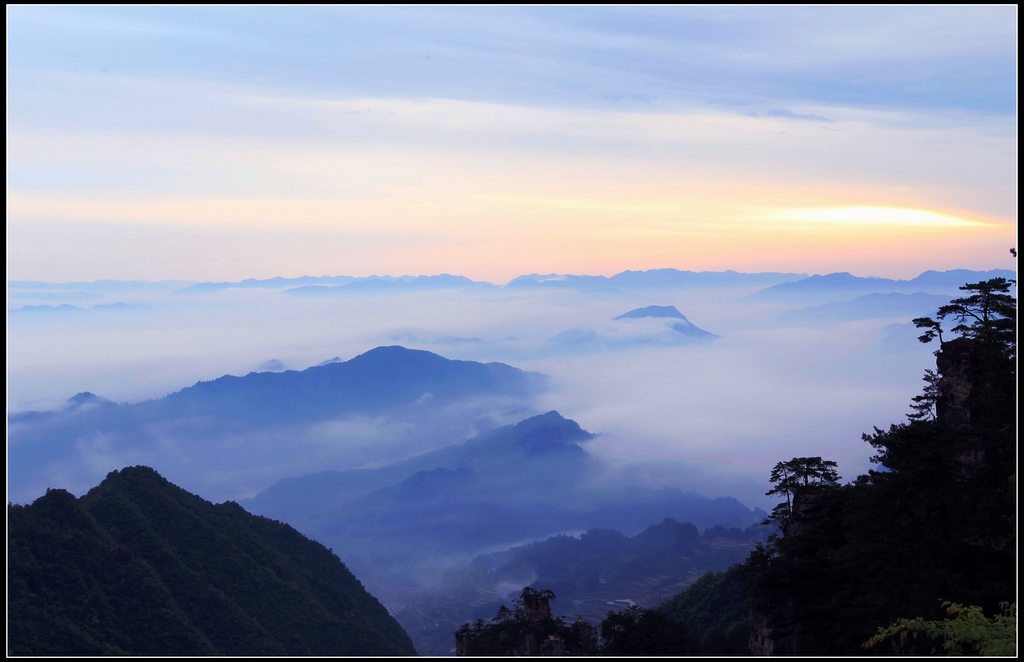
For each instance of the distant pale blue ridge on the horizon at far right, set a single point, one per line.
(835, 287)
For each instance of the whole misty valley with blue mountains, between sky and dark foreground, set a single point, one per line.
(416, 427)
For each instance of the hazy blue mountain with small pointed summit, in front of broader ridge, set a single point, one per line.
(522, 482)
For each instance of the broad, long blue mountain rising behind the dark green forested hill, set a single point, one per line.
(389, 403)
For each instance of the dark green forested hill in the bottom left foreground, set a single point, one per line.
(141, 567)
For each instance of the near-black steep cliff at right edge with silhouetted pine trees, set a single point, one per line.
(935, 522)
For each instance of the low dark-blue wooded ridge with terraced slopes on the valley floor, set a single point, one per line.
(593, 573)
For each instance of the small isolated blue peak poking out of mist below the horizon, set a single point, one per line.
(654, 325)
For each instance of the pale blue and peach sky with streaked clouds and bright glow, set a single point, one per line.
(216, 144)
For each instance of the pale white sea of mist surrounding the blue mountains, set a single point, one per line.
(711, 419)
